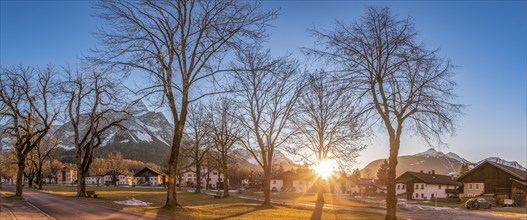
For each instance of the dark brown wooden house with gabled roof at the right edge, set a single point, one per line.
(496, 180)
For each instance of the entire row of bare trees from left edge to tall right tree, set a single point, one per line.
(371, 72)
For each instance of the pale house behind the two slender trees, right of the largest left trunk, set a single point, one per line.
(188, 178)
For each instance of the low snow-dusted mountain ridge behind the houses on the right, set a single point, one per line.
(432, 159)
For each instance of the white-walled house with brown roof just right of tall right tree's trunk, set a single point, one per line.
(426, 186)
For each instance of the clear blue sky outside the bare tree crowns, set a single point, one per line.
(486, 39)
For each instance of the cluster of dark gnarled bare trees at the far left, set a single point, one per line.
(32, 100)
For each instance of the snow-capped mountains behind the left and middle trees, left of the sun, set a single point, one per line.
(146, 138)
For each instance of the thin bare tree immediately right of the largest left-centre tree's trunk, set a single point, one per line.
(198, 137)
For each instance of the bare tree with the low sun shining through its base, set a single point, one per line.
(328, 124)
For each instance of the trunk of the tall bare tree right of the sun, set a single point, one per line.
(391, 199)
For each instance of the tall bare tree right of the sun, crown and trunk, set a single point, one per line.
(406, 83)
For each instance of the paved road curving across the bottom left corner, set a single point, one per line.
(61, 207)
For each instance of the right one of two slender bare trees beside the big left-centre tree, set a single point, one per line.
(225, 133)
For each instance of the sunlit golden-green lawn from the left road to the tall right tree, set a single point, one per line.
(203, 206)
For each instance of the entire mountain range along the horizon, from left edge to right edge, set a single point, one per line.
(149, 133)
